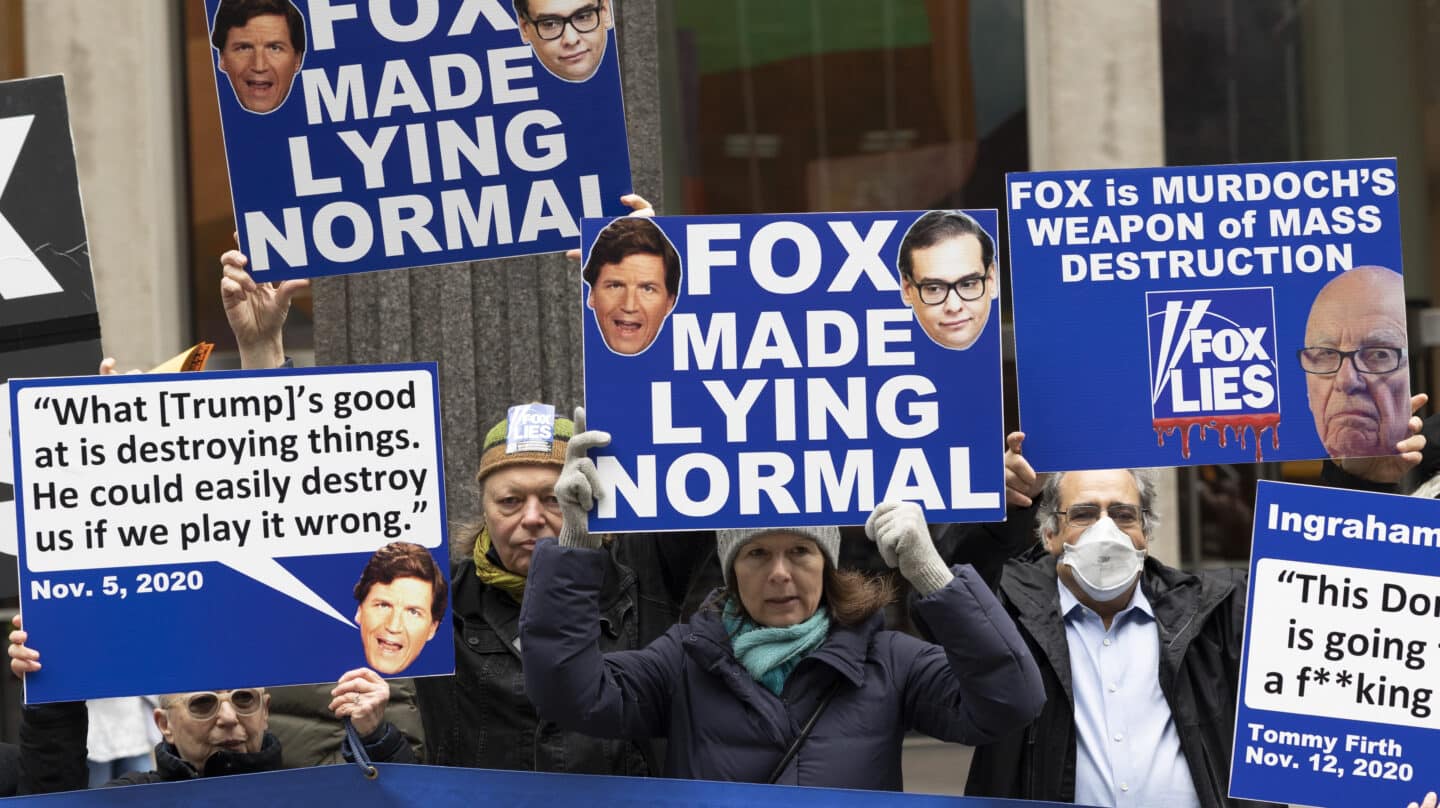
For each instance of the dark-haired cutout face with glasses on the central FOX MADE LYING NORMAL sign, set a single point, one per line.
(948, 277)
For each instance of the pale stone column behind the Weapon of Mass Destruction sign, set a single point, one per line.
(1097, 102)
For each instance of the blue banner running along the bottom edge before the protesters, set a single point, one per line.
(441, 786)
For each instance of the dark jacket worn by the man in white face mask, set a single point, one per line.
(1200, 620)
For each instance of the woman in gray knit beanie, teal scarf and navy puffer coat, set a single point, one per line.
(791, 678)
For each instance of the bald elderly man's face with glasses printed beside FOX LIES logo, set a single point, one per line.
(1357, 365)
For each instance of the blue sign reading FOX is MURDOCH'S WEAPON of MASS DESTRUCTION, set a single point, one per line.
(1209, 315)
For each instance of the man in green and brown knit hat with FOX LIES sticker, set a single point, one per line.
(482, 717)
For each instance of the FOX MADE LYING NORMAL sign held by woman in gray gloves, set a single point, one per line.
(771, 372)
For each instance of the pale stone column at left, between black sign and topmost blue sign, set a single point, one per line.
(122, 71)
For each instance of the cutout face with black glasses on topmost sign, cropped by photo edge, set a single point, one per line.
(567, 35)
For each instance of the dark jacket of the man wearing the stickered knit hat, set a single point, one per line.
(483, 718)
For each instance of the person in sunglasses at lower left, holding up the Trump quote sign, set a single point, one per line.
(205, 734)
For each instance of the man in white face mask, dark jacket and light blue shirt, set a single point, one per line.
(1141, 662)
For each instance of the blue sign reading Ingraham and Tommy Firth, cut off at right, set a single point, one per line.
(1337, 691)
